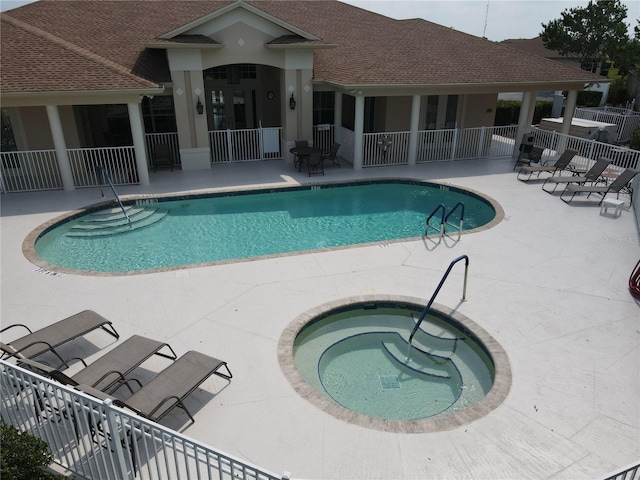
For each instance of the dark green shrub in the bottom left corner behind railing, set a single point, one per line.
(23, 457)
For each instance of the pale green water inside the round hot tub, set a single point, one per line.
(360, 359)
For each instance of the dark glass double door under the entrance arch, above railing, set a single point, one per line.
(231, 108)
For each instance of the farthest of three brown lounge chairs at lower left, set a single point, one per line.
(48, 338)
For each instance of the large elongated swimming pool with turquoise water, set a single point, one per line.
(180, 231)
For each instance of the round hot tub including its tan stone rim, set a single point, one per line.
(351, 358)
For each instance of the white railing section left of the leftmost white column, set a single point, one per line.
(29, 170)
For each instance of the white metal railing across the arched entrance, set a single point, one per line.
(245, 145)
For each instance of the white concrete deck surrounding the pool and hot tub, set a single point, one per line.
(549, 283)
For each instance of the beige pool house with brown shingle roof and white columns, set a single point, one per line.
(104, 82)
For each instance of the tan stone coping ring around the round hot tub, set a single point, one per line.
(494, 398)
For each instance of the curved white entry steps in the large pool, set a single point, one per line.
(113, 221)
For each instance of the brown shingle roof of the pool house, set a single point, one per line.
(100, 44)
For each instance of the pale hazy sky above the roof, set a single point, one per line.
(495, 19)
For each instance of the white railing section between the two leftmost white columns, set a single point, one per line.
(120, 162)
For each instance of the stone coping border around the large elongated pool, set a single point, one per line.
(29, 251)
